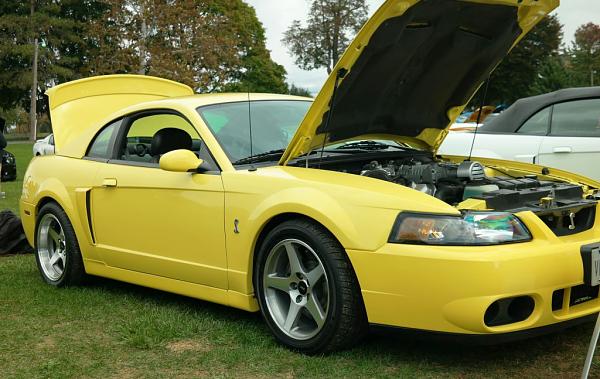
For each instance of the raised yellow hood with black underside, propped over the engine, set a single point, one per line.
(413, 68)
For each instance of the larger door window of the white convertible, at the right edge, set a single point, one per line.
(577, 119)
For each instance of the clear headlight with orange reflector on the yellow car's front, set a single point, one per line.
(472, 228)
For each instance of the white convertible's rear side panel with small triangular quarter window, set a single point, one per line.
(522, 145)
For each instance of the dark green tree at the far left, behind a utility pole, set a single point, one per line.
(49, 29)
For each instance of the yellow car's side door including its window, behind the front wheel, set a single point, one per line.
(157, 222)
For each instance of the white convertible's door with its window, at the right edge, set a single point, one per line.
(574, 140)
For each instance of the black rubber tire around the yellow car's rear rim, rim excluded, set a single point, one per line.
(73, 271)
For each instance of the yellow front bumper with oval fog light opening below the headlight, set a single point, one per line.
(449, 289)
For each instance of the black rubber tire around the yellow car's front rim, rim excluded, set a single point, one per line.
(346, 321)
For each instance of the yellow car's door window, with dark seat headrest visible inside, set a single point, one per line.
(150, 137)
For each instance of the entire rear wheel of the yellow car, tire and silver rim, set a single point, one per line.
(56, 249)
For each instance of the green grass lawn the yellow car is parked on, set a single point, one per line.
(107, 329)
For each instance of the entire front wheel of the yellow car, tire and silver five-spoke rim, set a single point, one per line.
(307, 290)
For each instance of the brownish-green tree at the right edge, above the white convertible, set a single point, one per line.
(585, 55)
